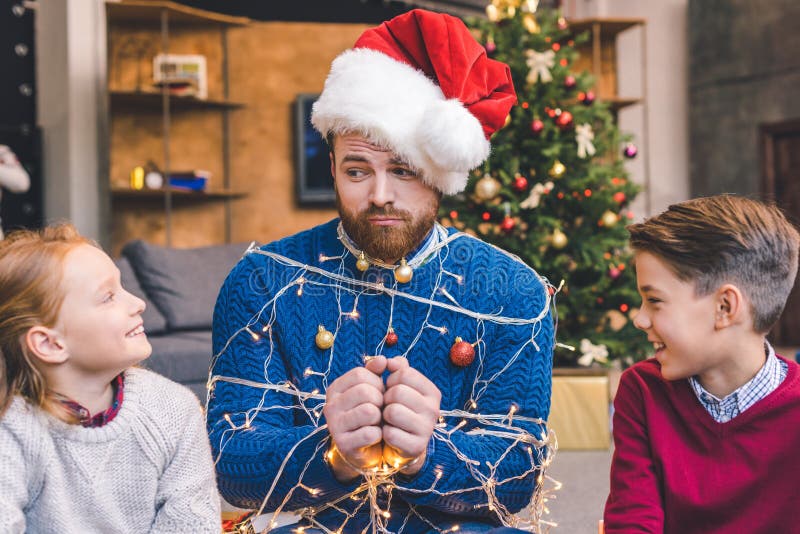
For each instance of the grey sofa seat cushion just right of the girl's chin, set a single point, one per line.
(181, 356)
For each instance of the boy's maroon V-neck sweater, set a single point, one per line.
(677, 471)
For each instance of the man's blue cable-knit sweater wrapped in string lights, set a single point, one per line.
(271, 444)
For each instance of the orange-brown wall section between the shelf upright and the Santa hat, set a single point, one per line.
(270, 63)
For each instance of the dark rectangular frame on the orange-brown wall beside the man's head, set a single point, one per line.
(314, 183)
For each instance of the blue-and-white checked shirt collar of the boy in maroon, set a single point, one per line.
(768, 378)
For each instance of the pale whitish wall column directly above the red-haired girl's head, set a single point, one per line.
(70, 70)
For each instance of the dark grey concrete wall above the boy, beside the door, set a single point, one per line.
(744, 72)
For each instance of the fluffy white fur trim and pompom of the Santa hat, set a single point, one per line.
(398, 107)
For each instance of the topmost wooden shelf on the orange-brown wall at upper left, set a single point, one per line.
(147, 11)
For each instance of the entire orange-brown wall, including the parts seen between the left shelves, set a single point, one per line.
(269, 64)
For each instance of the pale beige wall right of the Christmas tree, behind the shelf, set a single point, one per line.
(661, 125)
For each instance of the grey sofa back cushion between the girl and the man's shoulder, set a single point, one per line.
(183, 283)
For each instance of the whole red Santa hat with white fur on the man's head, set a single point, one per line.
(421, 86)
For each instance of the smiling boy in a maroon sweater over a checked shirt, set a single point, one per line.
(707, 433)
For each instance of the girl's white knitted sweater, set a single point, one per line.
(148, 470)
